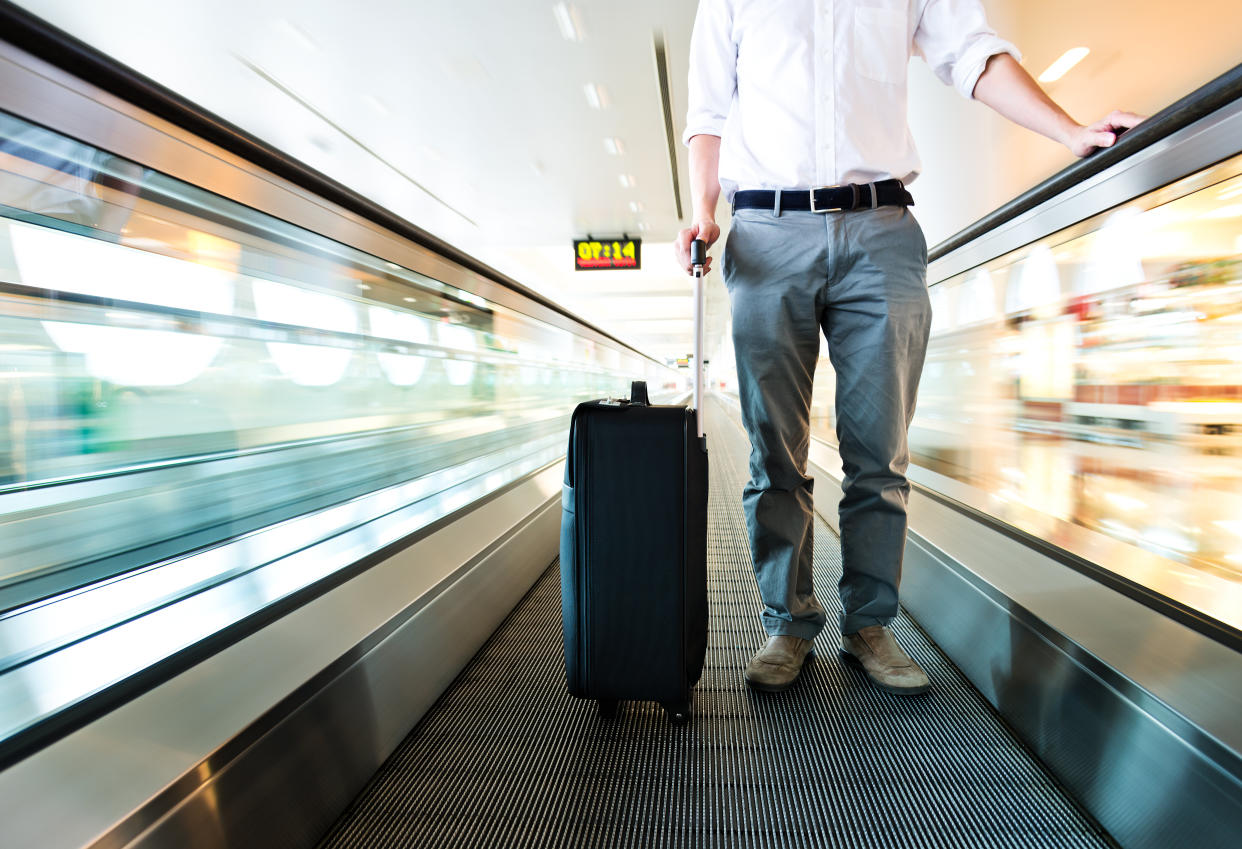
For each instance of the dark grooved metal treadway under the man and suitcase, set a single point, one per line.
(507, 759)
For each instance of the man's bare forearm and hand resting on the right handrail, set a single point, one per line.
(1008, 89)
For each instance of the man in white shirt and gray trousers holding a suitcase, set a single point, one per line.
(787, 96)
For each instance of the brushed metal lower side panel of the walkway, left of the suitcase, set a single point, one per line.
(266, 743)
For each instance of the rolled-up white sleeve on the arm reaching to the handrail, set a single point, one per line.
(954, 39)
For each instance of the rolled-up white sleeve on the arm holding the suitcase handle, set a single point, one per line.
(714, 76)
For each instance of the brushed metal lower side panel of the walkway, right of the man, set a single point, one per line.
(1133, 712)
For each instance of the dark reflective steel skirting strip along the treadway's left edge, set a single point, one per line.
(288, 788)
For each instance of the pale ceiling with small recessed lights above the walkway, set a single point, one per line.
(470, 119)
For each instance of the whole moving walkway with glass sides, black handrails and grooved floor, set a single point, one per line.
(208, 642)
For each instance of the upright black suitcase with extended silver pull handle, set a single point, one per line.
(634, 549)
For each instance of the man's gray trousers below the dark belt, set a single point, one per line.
(861, 279)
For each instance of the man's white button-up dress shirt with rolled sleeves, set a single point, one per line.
(813, 92)
